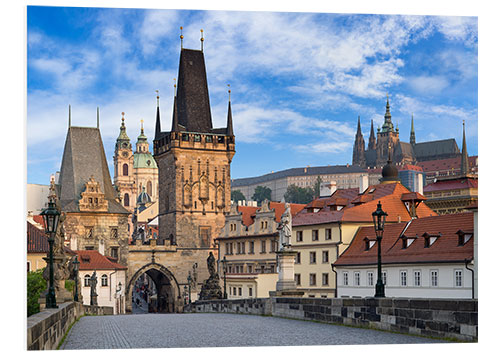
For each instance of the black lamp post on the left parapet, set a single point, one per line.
(51, 221)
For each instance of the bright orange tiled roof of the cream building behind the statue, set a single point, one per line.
(360, 209)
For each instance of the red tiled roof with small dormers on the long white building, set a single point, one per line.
(444, 249)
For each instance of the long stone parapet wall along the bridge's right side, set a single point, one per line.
(441, 318)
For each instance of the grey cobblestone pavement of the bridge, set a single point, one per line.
(217, 330)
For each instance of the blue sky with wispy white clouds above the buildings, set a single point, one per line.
(298, 81)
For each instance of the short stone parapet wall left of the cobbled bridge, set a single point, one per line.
(46, 329)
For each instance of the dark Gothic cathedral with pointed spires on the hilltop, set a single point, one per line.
(387, 142)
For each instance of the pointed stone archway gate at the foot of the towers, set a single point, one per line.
(168, 291)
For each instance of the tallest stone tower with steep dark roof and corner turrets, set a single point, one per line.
(194, 162)
